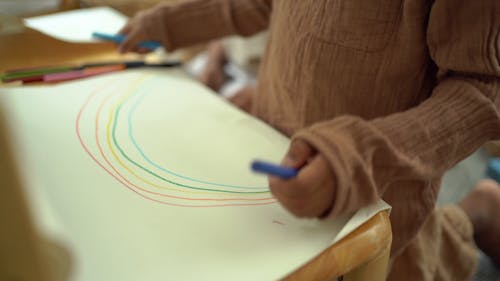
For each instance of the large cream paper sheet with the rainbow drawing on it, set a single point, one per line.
(108, 155)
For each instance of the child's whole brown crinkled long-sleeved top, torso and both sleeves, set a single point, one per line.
(392, 92)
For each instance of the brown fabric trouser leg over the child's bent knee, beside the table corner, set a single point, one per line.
(443, 250)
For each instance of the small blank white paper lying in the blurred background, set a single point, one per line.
(77, 26)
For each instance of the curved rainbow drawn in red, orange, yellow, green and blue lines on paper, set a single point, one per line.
(105, 129)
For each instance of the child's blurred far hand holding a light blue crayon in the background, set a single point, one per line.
(137, 30)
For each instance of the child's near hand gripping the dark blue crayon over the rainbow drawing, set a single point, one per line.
(311, 192)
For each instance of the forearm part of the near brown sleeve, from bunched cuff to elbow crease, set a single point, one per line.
(416, 145)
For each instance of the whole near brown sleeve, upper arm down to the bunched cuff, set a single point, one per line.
(421, 143)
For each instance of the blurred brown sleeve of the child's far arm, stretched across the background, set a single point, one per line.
(199, 21)
